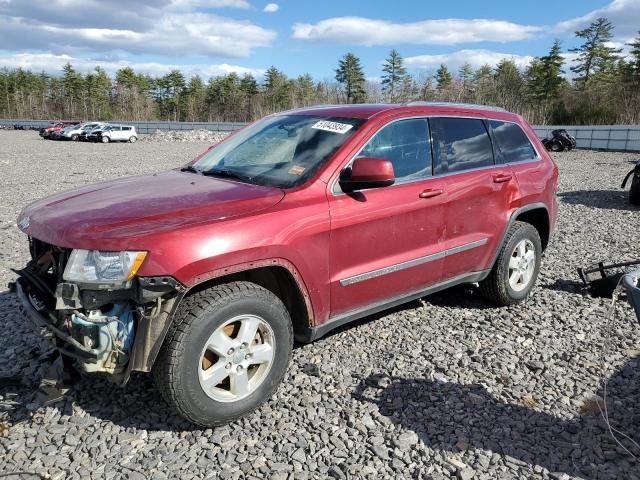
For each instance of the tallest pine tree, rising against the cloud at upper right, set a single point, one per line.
(595, 58)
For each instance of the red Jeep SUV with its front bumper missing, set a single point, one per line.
(297, 224)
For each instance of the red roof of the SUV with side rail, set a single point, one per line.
(369, 110)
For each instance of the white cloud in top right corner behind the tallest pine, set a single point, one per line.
(623, 14)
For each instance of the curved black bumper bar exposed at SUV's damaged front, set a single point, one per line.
(64, 342)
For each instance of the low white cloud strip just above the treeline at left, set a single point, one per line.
(52, 64)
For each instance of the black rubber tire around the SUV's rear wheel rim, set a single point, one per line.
(496, 287)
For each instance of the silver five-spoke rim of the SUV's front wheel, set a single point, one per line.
(236, 358)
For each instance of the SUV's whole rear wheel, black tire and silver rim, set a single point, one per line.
(516, 268)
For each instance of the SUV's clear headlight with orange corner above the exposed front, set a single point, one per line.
(95, 266)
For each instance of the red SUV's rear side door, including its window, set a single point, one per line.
(478, 192)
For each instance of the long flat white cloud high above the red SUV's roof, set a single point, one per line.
(370, 32)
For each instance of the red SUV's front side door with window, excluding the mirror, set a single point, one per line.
(387, 242)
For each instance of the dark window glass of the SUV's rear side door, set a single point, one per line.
(460, 144)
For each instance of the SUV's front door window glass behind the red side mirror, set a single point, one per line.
(405, 143)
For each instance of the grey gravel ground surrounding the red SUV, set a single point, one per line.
(445, 387)
